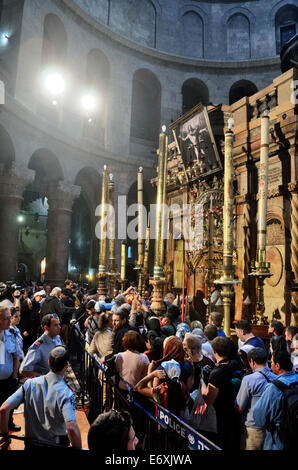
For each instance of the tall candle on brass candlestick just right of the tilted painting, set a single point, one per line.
(227, 280)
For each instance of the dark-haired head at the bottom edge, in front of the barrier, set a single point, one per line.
(112, 431)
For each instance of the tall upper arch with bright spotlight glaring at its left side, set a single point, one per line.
(97, 86)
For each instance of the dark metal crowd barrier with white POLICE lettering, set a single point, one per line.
(157, 428)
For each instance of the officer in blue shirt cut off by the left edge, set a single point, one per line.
(9, 361)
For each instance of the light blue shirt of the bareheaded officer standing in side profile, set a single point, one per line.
(37, 357)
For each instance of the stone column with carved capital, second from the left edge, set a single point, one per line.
(60, 199)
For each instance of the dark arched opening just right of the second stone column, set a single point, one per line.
(83, 249)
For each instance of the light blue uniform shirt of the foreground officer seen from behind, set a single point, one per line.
(48, 405)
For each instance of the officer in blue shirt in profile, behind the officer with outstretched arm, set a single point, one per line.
(36, 361)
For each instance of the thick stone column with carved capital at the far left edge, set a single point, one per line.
(13, 182)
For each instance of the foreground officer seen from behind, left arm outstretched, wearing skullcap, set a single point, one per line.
(49, 407)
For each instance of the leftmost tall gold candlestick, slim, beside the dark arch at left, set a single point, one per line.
(102, 275)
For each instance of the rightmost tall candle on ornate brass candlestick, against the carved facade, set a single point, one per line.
(261, 269)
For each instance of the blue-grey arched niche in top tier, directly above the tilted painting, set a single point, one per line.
(192, 44)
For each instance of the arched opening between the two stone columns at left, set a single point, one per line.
(34, 211)
